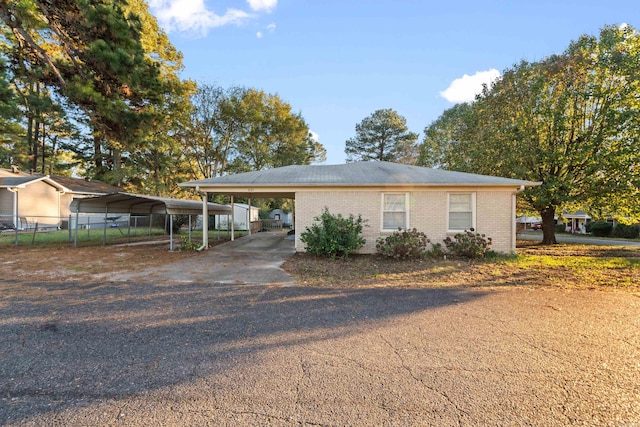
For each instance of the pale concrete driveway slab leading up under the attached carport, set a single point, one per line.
(254, 259)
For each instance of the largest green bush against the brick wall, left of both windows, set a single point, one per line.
(333, 236)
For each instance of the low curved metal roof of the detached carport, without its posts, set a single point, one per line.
(139, 204)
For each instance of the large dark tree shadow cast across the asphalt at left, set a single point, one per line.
(66, 344)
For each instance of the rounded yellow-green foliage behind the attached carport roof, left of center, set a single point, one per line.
(239, 130)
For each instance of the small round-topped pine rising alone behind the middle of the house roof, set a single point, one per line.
(382, 136)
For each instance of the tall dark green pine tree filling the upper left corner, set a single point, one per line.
(90, 54)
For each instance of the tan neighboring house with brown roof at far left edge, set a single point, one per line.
(27, 201)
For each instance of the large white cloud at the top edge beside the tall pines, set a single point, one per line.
(193, 16)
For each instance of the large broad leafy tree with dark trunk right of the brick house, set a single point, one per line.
(570, 121)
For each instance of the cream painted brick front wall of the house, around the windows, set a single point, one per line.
(427, 212)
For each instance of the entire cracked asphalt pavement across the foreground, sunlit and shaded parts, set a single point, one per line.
(133, 353)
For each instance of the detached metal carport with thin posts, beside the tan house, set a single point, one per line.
(136, 204)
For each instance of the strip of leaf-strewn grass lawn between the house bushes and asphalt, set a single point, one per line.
(566, 266)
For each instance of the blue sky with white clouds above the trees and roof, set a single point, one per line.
(336, 62)
